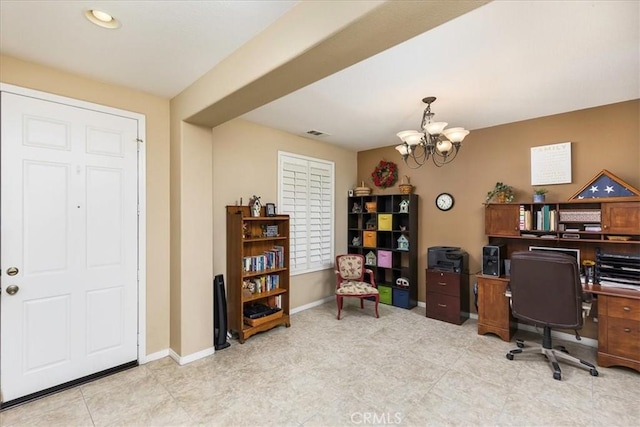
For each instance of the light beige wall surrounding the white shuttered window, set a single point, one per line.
(245, 162)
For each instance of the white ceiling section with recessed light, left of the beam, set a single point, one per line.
(161, 48)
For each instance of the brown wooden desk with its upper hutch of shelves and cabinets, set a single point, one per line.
(590, 226)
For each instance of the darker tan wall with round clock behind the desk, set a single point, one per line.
(606, 137)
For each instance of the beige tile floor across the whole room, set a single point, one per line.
(400, 369)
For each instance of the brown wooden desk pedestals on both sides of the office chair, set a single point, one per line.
(618, 319)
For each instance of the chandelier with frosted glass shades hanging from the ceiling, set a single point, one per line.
(433, 141)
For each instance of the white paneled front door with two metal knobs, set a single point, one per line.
(69, 226)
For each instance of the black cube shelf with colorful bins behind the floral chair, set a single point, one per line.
(377, 233)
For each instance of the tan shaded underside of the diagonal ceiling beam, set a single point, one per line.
(380, 28)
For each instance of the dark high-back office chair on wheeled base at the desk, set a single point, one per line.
(546, 291)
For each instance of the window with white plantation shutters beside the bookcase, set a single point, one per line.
(305, 192)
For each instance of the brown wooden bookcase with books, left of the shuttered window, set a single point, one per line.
(257, 254)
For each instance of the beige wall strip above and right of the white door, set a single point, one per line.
(156, 111)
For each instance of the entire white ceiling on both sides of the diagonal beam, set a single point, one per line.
(503, 62)
